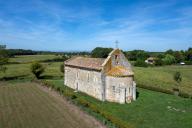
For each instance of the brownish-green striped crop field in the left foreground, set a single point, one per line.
(25, 105)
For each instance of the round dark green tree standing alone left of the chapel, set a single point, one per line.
(37, 69)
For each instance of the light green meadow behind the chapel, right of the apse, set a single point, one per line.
(163, 77)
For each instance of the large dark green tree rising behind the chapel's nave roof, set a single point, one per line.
(100, 52)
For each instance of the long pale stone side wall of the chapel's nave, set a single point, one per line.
(83, 80)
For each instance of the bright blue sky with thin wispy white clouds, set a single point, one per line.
(64, 25)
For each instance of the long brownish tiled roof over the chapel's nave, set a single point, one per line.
(86, 62)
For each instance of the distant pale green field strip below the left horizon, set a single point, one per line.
(31, 58)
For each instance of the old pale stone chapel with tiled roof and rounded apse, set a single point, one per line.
(110, 79)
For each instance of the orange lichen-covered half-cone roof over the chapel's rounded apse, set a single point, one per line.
(120, 71)
